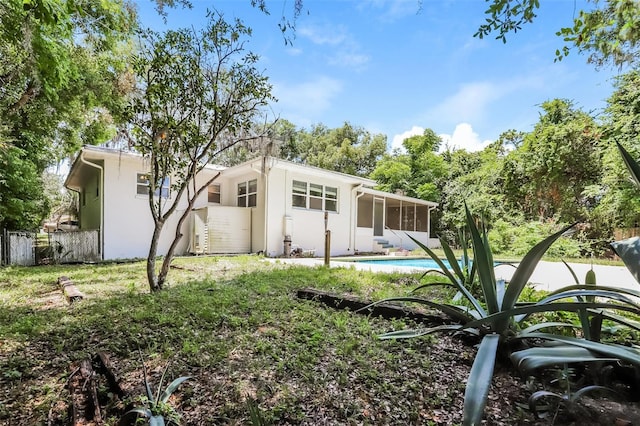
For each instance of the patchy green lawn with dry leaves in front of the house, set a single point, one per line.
(236, 327)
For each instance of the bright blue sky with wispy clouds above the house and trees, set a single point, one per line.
(396, 68)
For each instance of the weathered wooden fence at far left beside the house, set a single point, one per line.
(30, 248)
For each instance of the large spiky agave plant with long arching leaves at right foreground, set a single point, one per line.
(497, 319)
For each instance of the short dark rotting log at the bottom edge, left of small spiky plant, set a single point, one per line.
(85, 409)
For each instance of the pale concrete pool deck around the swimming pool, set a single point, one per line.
(548, 276)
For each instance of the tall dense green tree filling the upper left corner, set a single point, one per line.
(62, 81)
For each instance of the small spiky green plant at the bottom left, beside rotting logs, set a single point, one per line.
(156, 408)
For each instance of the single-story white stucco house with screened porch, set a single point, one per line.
(249, 208)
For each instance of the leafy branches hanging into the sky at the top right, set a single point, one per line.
(608, 33)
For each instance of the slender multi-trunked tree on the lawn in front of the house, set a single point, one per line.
(197, 95)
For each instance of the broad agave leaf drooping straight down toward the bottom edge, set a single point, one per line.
(479, 382)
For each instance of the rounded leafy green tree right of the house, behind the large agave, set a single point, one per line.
(547, 176)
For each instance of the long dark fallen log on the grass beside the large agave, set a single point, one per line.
(384, 310)
